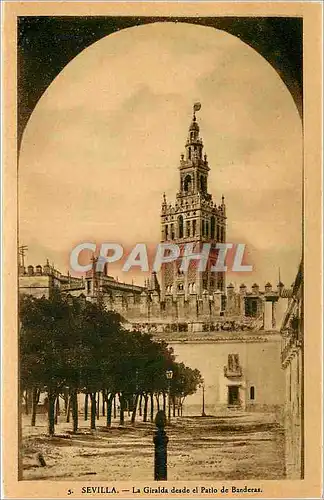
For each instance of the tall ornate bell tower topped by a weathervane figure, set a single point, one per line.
(193, 218)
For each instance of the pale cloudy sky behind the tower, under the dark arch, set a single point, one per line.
(104, 143)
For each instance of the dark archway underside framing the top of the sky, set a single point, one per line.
(45, 48)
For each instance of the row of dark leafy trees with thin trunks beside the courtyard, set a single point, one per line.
(70, 346)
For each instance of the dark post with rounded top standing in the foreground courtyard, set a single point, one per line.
(160, 440)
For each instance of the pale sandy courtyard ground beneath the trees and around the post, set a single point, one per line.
(231, 446)
